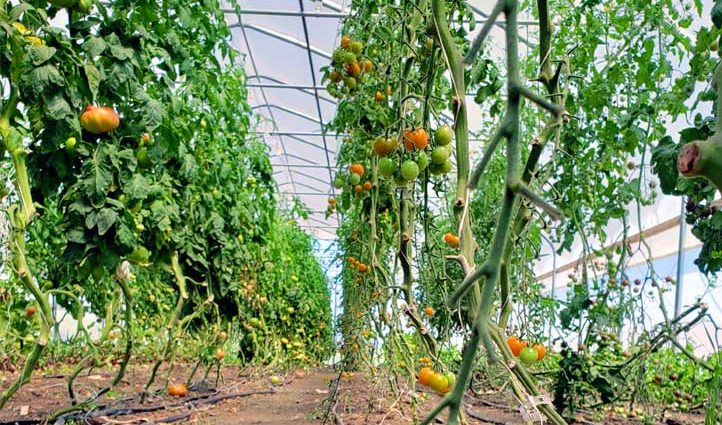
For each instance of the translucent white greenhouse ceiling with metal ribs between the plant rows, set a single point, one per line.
(285, 43)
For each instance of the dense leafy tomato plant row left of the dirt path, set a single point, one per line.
(138, 192)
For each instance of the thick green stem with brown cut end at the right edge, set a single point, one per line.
(703, 158)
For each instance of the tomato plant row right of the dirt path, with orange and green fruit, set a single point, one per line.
(574, 124)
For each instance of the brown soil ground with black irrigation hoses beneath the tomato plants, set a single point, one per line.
(248, 397)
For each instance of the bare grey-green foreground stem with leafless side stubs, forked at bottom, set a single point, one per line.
(491, 270)
